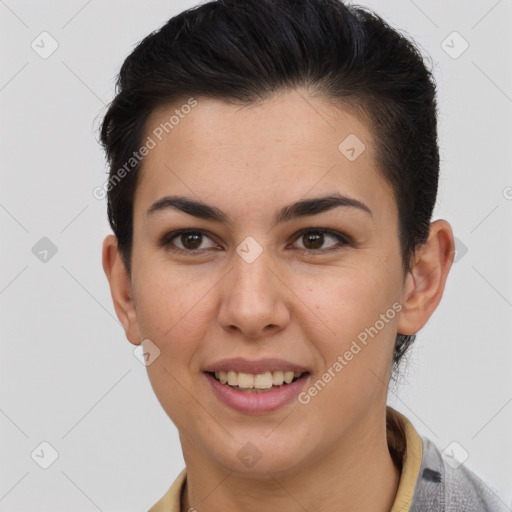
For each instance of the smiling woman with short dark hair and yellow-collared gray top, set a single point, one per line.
(273, 172)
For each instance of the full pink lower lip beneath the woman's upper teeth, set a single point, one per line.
(254, 403)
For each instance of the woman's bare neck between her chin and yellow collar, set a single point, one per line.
(356, 474)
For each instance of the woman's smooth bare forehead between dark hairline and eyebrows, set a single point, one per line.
(290, 145)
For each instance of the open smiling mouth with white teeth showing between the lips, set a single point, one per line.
(257, 383)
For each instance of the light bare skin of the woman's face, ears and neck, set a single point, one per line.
(289, 303)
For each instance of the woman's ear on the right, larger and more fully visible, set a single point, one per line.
(424, 284)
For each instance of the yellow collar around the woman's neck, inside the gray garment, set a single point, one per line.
(405, 447)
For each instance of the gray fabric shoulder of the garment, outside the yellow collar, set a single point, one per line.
(451, 487)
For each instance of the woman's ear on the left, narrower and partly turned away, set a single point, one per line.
(120, 288)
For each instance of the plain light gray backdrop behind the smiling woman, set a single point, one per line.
(68, 375)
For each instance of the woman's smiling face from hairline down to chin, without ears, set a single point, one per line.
(256, 288)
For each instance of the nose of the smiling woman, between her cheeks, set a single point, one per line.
(255, 299)
